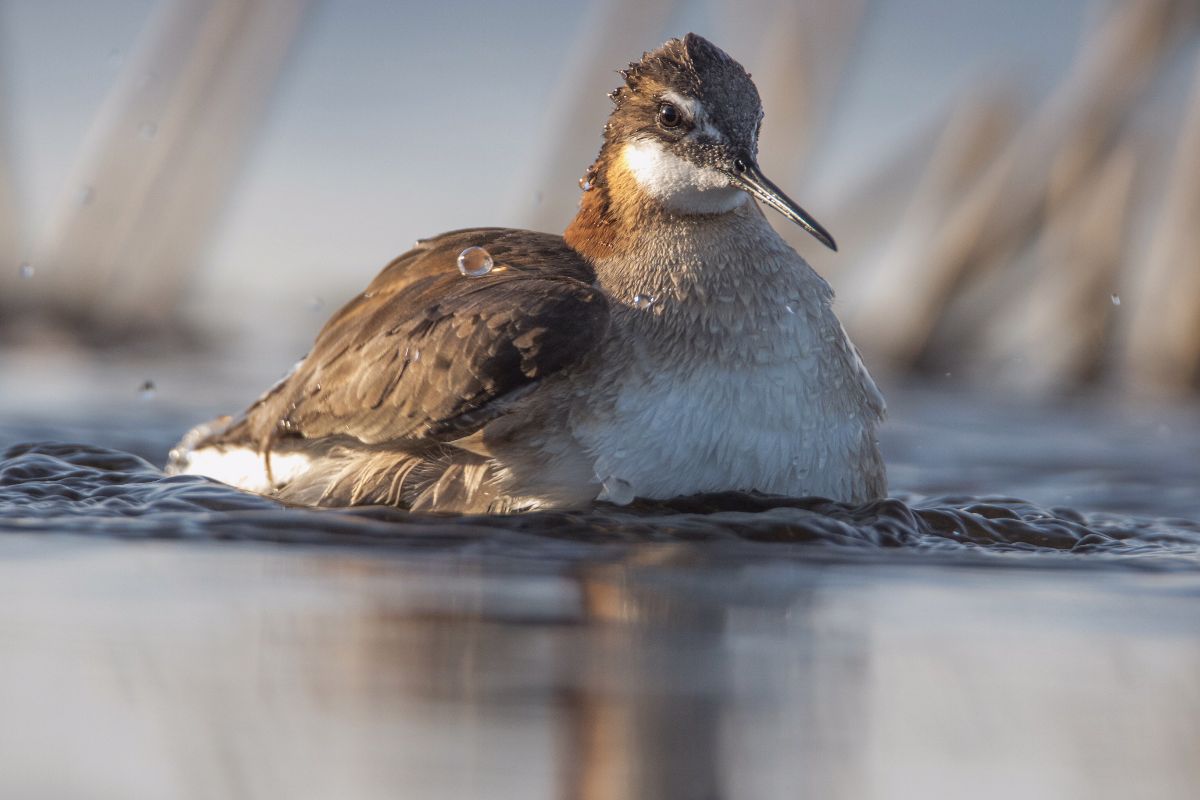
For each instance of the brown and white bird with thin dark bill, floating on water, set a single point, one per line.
(670, 342)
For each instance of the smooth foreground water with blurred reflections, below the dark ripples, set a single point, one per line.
(163, 670)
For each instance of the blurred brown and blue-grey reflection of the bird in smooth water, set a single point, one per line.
(655, 684)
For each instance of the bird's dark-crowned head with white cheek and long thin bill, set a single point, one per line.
(686, 131)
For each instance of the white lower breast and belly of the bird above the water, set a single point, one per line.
(785, 429)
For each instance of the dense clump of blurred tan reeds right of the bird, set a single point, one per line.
(1011, 258)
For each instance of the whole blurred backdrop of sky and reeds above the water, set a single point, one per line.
(1016, 185)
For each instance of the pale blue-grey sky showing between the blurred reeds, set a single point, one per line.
(398, 121)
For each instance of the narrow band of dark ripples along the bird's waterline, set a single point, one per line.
(89, 490)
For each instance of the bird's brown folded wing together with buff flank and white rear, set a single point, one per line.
(446, 340)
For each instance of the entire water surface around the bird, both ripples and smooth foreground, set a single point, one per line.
(172, 637)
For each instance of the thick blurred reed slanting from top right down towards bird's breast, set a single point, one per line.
(904, 293)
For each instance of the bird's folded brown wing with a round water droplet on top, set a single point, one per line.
(428, 354)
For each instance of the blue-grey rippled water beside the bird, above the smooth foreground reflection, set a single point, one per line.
(1099, 492)
